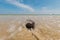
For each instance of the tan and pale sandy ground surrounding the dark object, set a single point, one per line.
(12, 27)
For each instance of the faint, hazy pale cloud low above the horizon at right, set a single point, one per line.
(46, 10)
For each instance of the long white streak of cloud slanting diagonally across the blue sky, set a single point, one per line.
(15, 2)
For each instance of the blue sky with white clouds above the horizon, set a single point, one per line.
(29, 6)
